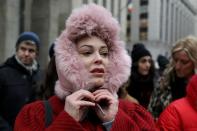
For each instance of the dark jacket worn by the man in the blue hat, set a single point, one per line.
(17, 88)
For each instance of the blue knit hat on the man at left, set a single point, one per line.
(28, 36)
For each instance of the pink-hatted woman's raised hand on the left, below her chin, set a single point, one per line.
(77, 104)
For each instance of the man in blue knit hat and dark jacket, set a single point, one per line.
(20, 77)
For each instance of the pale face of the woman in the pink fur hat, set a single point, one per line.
(94, 54)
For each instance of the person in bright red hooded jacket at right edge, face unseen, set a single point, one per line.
(181, 115)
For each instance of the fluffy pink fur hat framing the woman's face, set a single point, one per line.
(89, 20)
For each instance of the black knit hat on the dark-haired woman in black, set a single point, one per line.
(139, 51)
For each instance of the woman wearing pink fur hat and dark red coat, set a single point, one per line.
(92, 63)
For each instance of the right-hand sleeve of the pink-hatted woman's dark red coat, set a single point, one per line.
(133, 117)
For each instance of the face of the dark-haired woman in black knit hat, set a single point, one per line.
(144, 65)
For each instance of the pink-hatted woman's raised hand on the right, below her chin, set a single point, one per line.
(109, 104)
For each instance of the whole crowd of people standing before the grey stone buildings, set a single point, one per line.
(92, 83)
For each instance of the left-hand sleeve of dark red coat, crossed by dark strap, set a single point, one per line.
(32, 118)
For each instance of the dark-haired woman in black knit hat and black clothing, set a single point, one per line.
(142, 75)
